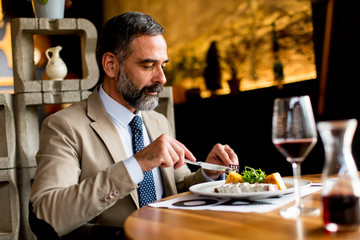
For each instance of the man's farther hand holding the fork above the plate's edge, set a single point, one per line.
(221, 155)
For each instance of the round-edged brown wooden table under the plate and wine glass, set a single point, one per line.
(158, 223)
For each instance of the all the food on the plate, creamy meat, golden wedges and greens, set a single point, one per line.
(251, 180)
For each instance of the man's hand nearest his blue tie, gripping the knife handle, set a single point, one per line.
(165, 151)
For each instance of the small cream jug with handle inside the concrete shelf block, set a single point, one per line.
(55, 68)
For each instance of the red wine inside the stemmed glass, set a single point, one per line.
(294, 148)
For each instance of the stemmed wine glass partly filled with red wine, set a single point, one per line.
(294, 135)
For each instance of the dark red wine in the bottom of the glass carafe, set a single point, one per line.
(341, 211)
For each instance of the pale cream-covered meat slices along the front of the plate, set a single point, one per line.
(245, 187)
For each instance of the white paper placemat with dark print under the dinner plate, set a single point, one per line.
(198, 202)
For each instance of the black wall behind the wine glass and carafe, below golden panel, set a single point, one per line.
(244, 121)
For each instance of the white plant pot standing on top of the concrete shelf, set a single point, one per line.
(48, 8)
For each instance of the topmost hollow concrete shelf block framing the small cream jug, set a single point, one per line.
(22, 31)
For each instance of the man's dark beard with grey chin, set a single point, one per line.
(135, 98)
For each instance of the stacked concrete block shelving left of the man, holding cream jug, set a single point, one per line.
(22, 110)
